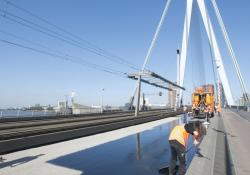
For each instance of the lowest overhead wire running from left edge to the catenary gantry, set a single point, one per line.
(82, 62)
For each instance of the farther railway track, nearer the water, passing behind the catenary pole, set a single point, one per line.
(33, 128)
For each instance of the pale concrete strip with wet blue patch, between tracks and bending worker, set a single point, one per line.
(139, 149)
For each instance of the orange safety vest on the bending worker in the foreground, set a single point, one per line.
(179, 134)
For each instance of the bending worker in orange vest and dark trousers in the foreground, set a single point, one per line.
(178, 142)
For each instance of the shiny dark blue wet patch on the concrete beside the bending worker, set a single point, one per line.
(142, 153)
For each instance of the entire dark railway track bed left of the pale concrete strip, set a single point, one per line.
(26, 134)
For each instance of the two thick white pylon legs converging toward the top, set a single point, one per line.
(213, 44)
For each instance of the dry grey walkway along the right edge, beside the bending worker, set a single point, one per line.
(225, 148)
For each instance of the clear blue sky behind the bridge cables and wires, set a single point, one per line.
(124, 28)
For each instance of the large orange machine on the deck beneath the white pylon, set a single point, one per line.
(203, 101)
